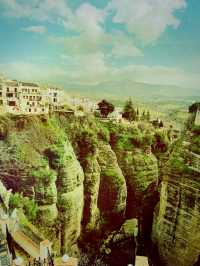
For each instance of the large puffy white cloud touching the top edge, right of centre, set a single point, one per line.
(148, 19)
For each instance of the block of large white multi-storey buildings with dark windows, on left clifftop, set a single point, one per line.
(28, 98)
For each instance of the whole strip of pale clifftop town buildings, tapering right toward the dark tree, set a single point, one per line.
(20, 97)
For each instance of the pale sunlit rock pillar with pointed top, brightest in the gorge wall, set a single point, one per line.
(70, 197)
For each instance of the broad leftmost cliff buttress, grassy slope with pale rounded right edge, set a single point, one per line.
(38, 160)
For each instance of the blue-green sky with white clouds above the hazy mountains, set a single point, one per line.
(96, 41)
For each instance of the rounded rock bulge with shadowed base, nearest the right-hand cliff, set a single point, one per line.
(141, 172)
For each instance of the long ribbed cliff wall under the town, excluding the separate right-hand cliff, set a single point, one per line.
(78, 183)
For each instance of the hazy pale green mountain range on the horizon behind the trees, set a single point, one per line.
(138, 91)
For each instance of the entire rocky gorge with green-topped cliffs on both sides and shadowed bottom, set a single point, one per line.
(101, 191)
